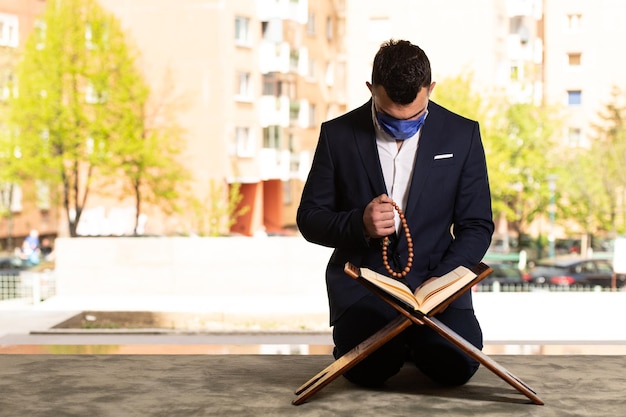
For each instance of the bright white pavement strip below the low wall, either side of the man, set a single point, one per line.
(506, 318)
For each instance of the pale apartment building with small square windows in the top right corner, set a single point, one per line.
(583, 60)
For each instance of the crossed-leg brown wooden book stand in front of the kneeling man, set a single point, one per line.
(404, 320)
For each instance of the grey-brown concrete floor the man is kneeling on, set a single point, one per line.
(263, 385)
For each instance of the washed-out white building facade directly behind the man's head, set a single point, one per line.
(458, 36)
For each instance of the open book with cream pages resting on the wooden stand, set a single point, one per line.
(432, 294)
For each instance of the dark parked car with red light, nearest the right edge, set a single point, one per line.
(572, 271)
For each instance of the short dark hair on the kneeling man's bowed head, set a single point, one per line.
(402, 69)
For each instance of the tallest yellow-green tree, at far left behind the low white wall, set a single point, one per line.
(67, 85)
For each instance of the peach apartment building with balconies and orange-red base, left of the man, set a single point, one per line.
(258, 77)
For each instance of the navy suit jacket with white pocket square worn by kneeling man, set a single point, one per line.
(448, 209)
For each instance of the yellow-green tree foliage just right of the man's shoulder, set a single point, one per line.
(519, 146)
